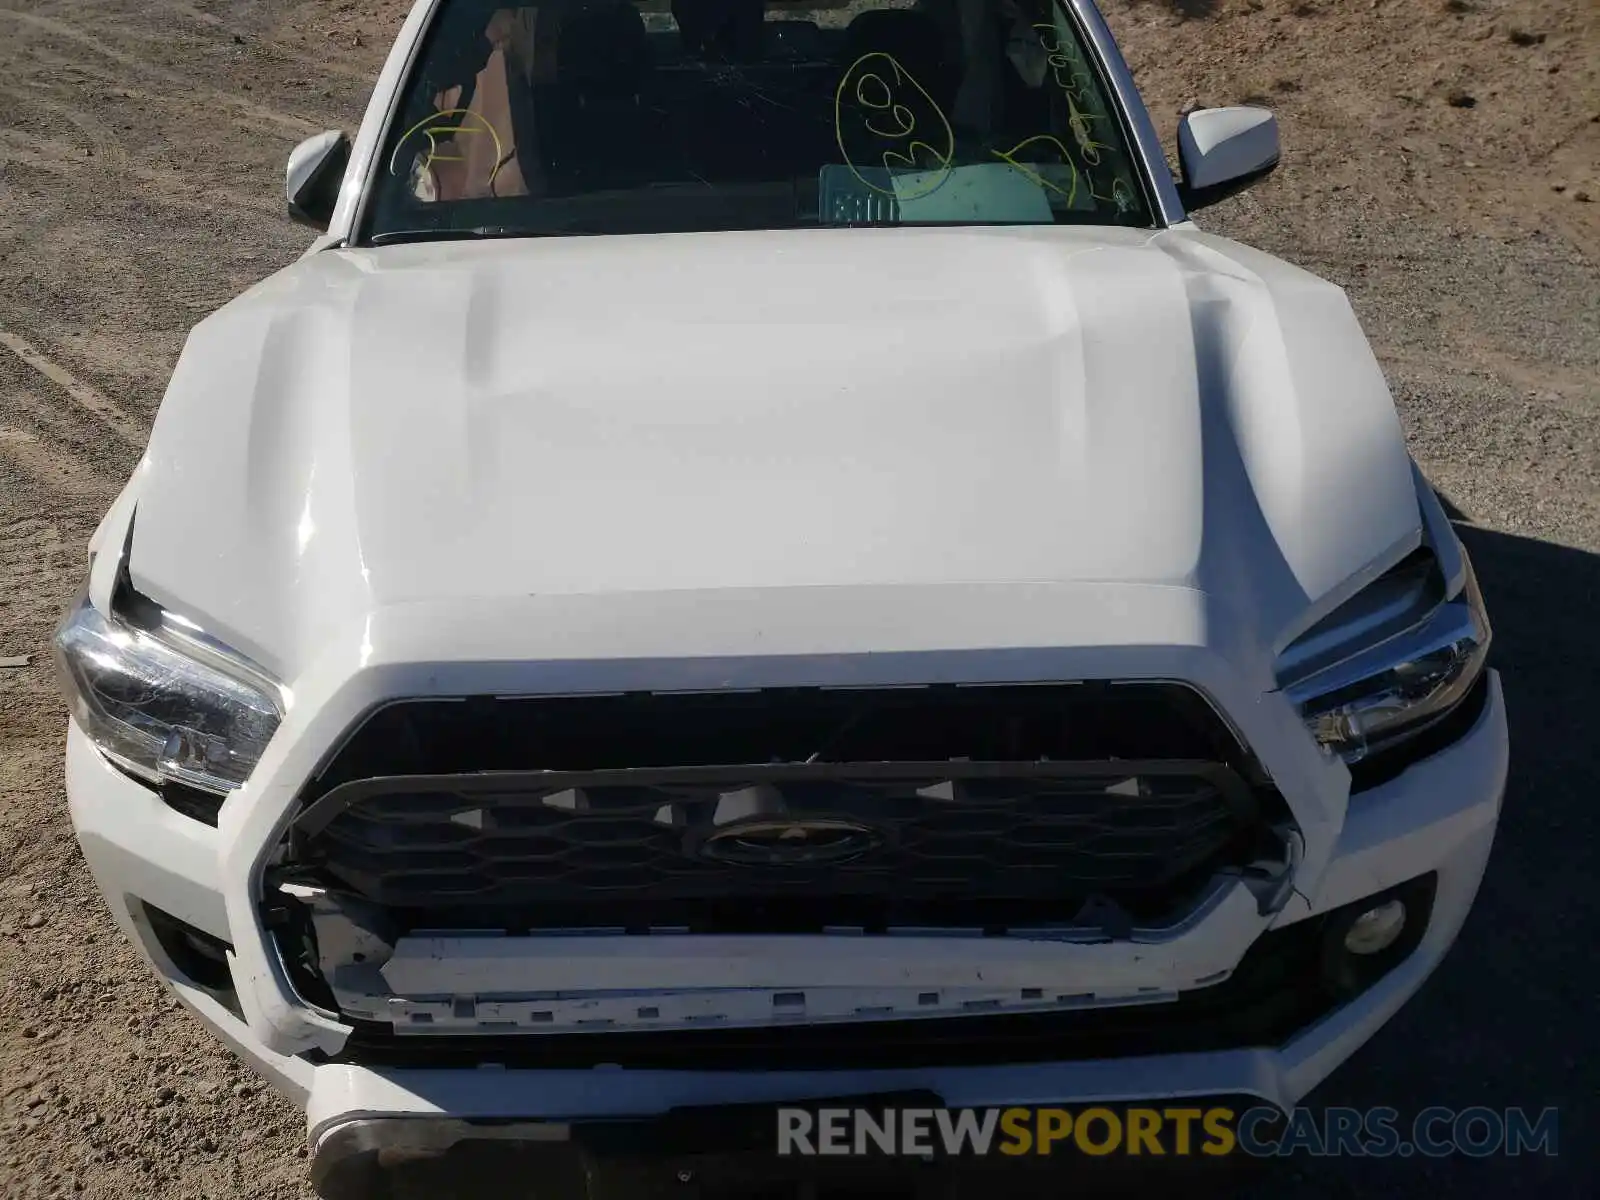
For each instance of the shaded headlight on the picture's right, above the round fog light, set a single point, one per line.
(1391, 662)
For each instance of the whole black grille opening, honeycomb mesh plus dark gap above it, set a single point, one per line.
(926, 807)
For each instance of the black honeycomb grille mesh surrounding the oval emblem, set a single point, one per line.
(642, 852)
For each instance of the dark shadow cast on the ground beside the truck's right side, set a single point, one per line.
(1505, 1023)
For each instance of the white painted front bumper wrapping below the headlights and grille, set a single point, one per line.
(1438, 817)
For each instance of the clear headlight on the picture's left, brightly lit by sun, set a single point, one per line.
(164, 703)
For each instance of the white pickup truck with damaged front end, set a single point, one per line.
(764, 556)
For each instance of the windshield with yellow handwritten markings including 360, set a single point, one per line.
(665, 116)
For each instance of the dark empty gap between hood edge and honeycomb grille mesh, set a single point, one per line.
(1062, 722)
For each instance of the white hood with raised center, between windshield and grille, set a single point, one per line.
(602, 415)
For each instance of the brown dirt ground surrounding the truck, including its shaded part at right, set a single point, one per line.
(1442, 161)
